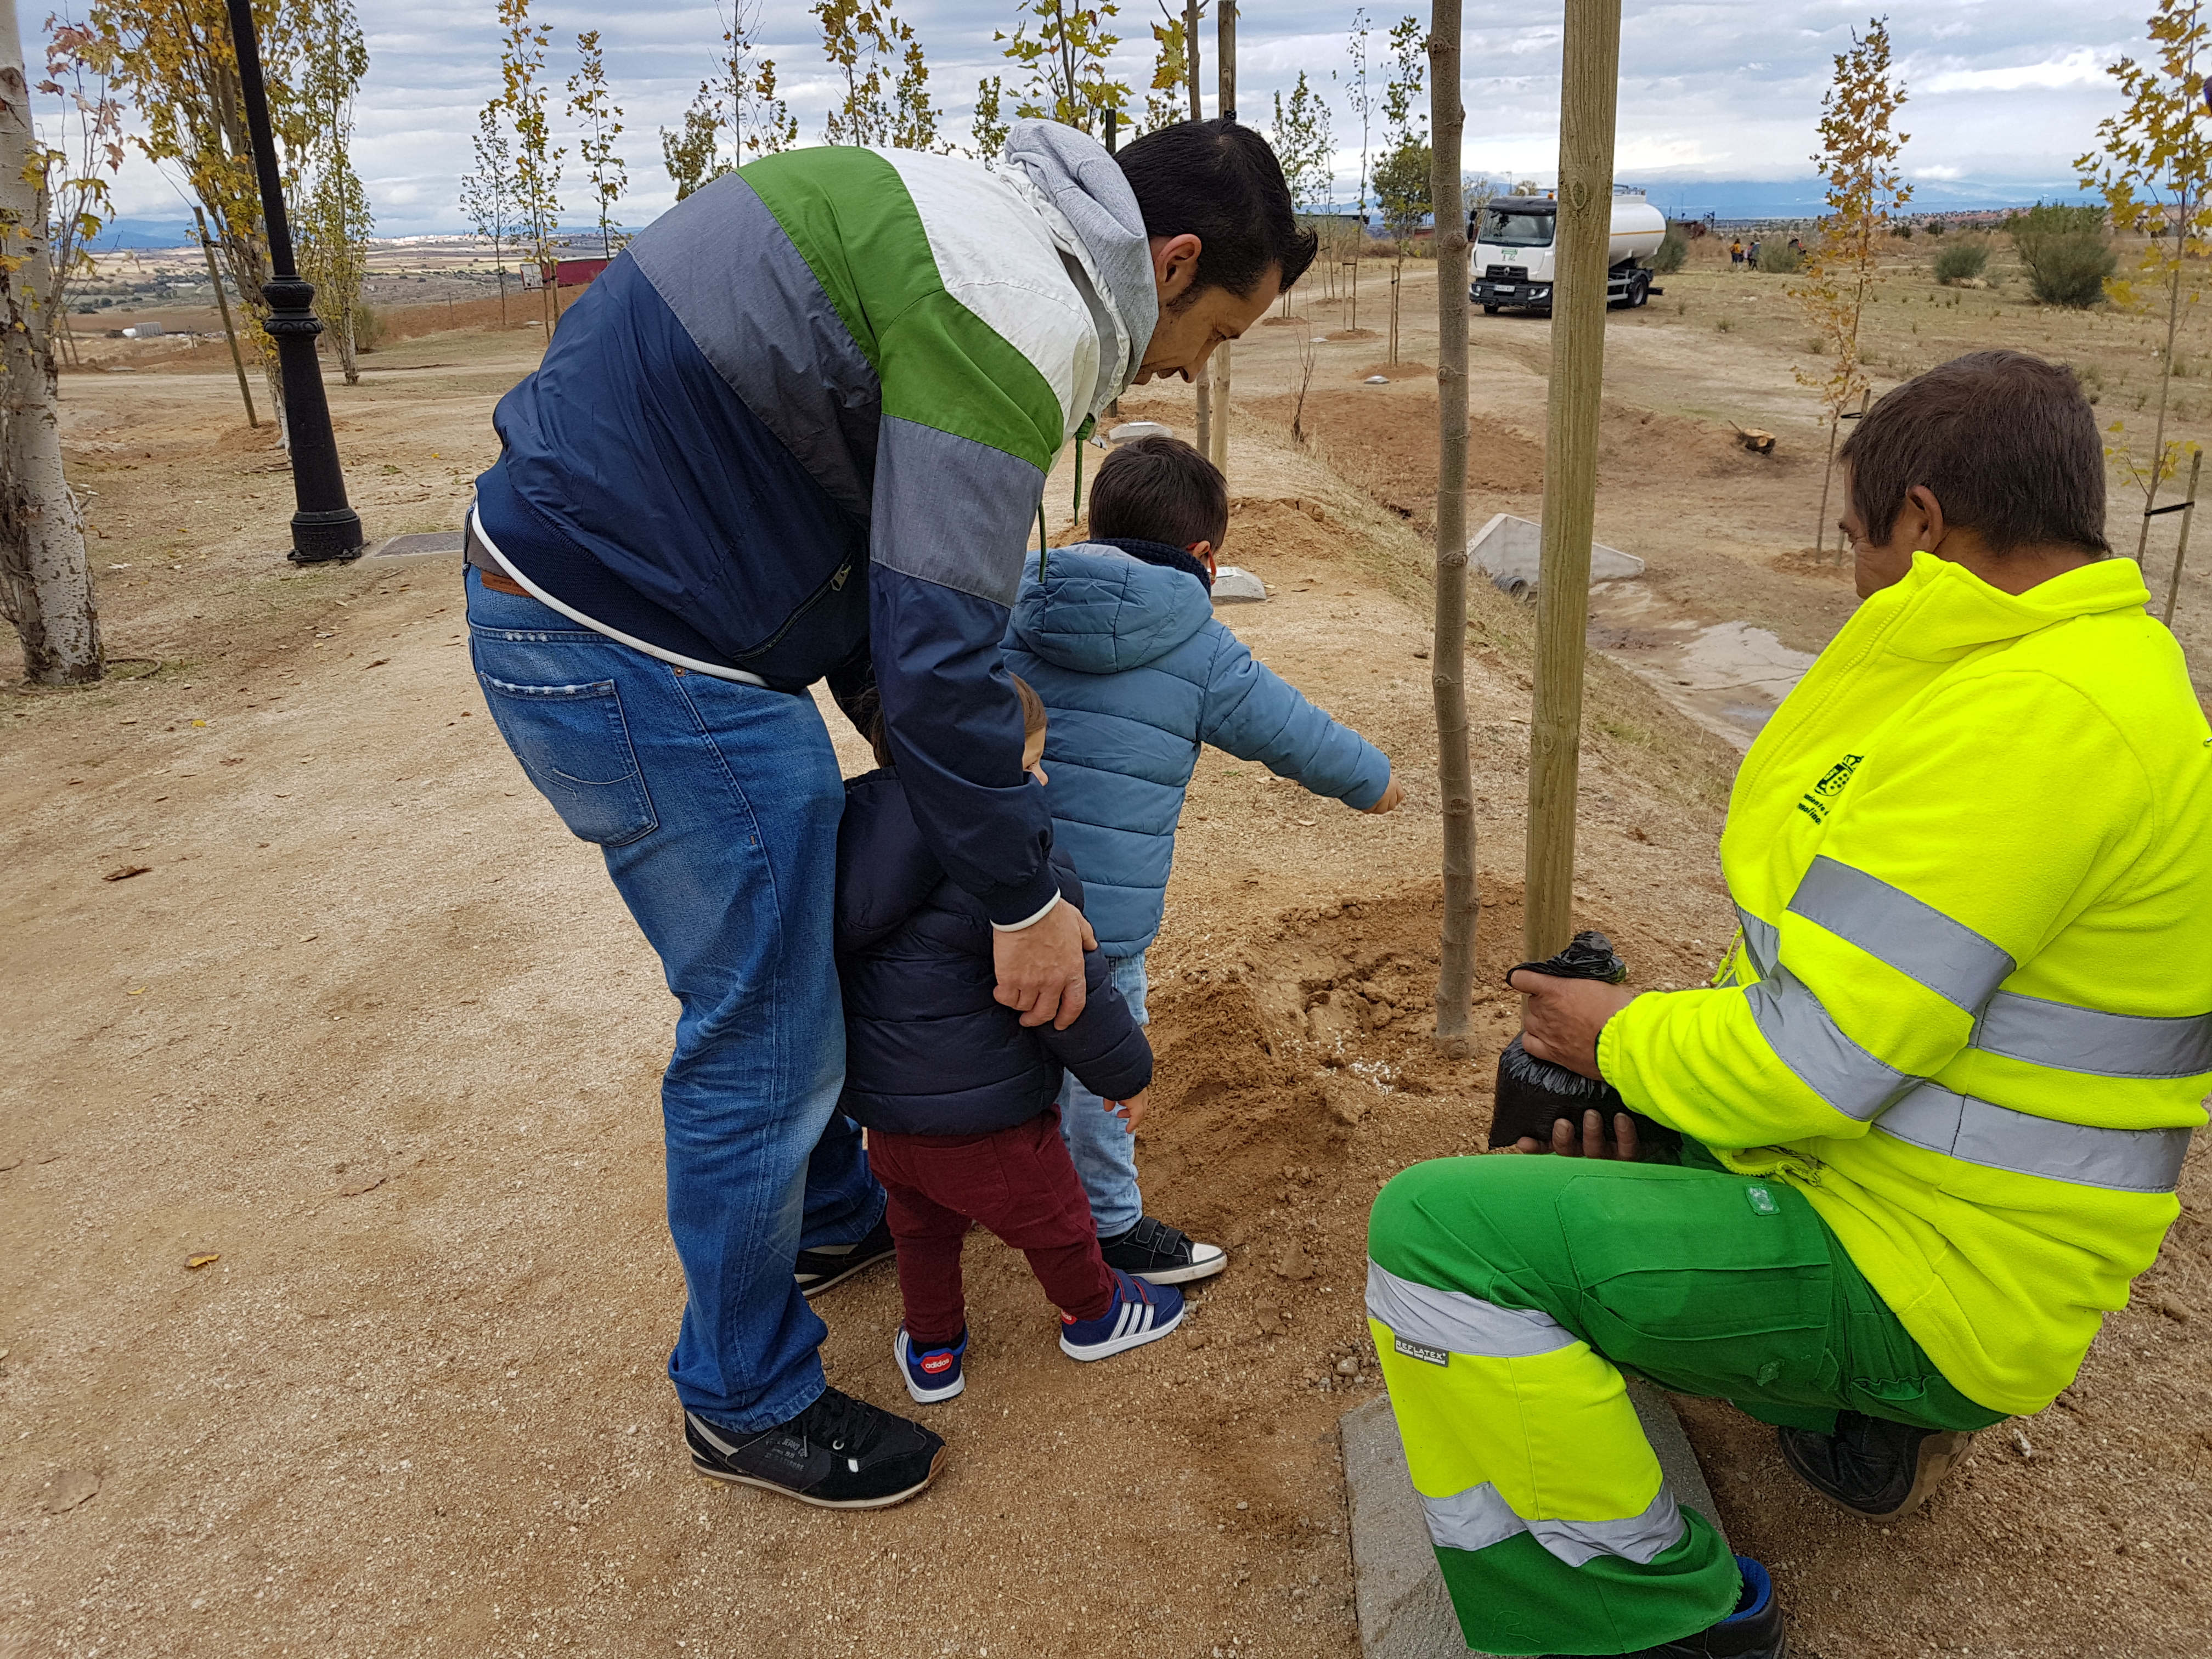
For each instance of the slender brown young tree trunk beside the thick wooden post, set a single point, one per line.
(1448, 654)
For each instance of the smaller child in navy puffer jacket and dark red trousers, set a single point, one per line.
(959, 1096)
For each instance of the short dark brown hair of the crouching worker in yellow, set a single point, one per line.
(2005, 441)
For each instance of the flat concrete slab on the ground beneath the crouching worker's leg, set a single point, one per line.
(1406, 1611)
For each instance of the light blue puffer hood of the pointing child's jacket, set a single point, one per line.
(1096, 609)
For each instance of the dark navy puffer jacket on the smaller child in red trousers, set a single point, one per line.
(928, 1050)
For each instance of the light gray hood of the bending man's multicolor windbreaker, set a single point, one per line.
(1087, 194)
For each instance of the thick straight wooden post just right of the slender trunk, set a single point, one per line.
(1589, 83)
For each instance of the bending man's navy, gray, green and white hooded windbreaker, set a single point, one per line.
(806, 421)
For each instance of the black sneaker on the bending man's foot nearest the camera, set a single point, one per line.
(837, 1454)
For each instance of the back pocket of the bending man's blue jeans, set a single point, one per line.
(576, 747)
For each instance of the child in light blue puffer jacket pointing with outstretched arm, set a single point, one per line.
(1120, 640)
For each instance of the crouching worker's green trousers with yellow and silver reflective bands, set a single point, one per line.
(1507, 1295)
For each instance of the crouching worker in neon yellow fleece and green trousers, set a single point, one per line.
(1934, 1105)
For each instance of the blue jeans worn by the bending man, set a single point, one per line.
(716, 806)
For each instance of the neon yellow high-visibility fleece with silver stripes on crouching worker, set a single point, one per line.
(1970, 1012)
